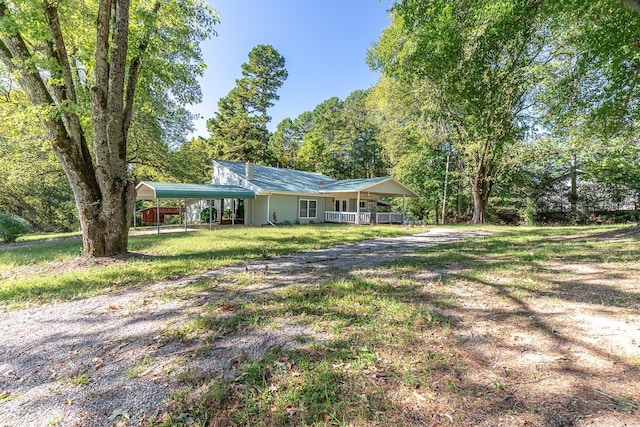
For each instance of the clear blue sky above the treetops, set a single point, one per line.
(324, 43)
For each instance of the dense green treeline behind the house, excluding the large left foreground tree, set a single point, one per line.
(487, 108)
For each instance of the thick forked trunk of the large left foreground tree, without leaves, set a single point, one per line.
(102, 188)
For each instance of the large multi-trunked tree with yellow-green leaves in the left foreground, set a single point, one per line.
(68, 69)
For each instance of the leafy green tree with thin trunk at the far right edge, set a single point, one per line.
(590, 100)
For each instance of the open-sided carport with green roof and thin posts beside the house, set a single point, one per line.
(156, 191)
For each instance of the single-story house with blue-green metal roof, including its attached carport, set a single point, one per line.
(259, 195)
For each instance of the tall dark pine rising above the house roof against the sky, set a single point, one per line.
(239, 127)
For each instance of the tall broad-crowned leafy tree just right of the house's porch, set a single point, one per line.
(478, 59)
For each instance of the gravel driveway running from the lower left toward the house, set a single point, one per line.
(103, 360)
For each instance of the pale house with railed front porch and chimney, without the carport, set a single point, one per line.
(287, 195)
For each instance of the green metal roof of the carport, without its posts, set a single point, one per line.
(162, 190)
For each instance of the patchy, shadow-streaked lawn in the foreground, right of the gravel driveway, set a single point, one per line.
(530, 326)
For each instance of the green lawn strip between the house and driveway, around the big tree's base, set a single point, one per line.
(49, 270)
